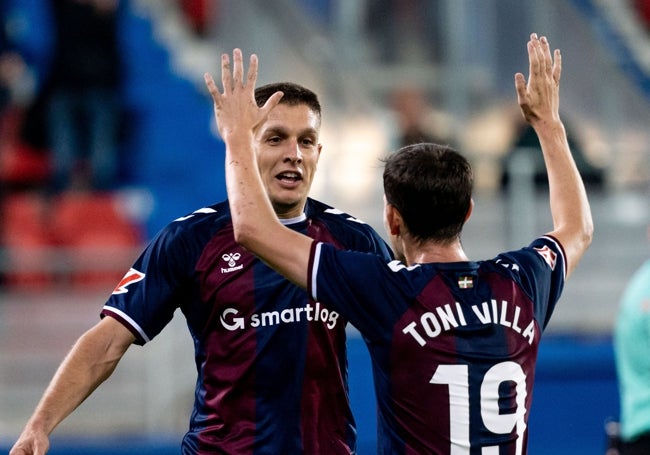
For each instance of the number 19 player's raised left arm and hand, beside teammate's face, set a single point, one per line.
(256, 227)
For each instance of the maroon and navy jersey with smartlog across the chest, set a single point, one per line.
(271, 362)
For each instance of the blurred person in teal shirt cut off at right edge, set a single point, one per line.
(631, 347)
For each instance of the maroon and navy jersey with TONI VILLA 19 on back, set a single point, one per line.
(453, 346)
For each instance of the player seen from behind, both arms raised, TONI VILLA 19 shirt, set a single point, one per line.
(453, 342)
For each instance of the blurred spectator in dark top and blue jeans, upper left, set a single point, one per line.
(84, 90)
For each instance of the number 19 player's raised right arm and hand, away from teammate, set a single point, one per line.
(539, 102)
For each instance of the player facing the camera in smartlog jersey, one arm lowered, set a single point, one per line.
(271, 362)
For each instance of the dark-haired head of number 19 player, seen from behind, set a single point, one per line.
(430, 185)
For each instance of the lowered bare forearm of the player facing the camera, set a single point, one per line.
(90, 362)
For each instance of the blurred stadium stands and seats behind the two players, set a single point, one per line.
(449, 62)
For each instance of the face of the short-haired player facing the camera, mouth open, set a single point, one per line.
(287, 156)
